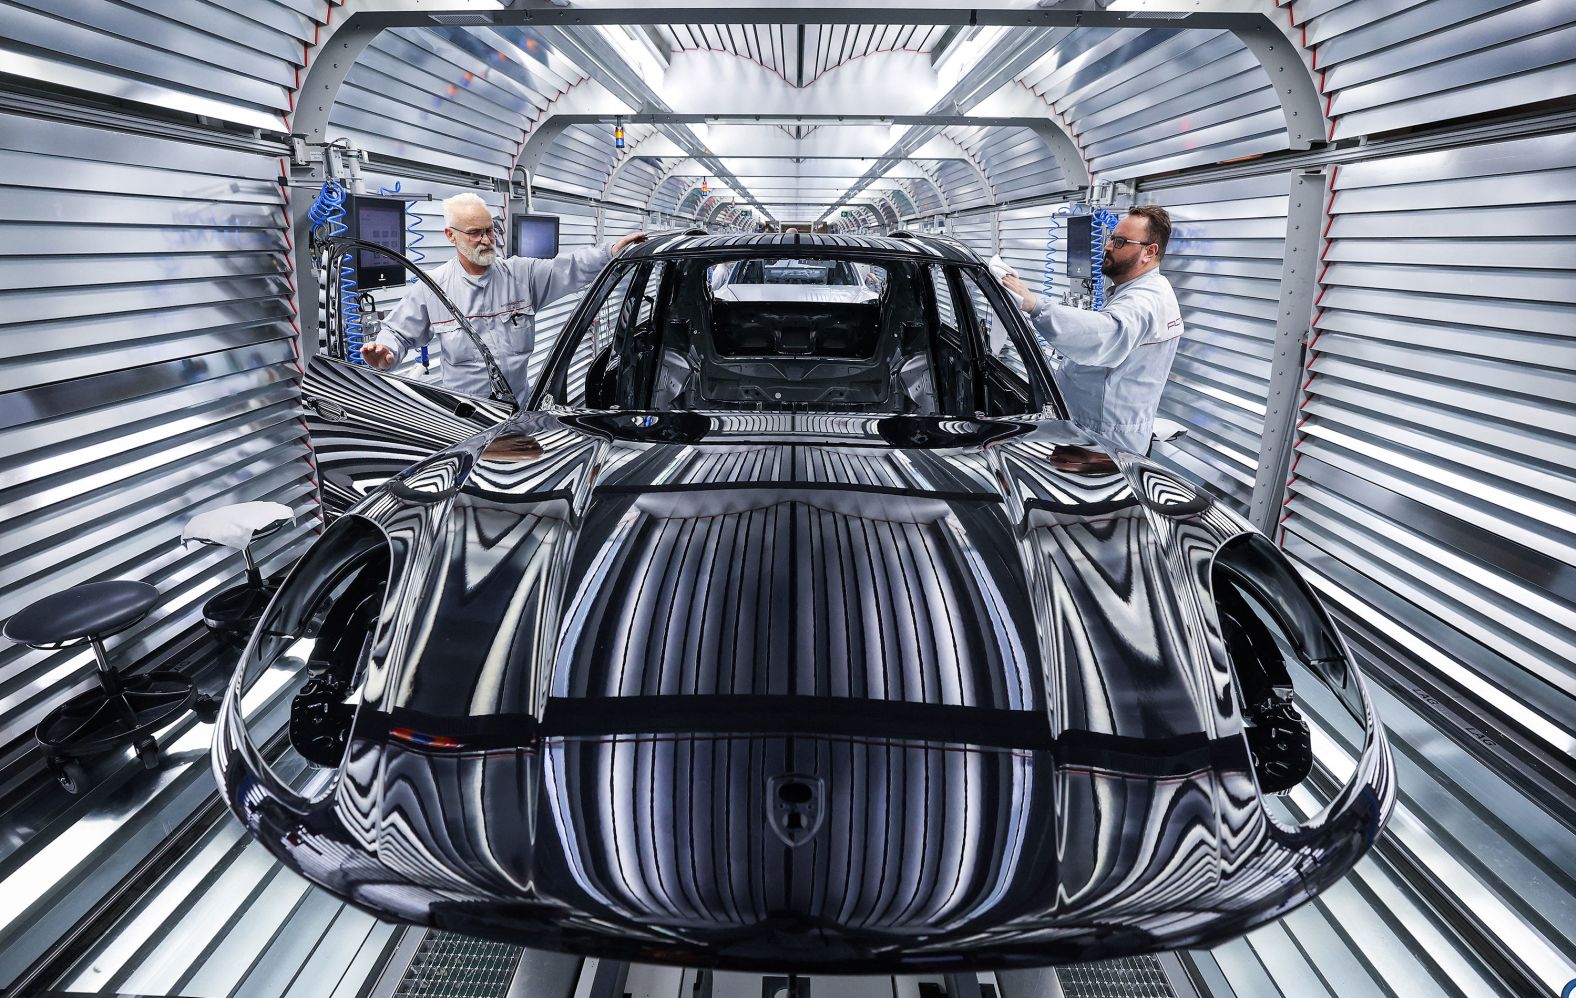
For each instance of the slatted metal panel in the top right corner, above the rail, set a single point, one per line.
(1400, 64)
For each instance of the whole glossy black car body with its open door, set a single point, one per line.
(822, 666)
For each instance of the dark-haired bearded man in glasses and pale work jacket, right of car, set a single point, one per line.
(1117, 360)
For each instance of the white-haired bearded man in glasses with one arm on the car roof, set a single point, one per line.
(499, 296)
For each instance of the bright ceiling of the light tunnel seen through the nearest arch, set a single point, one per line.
(805, 122)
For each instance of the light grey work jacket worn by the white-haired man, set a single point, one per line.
(502, 307)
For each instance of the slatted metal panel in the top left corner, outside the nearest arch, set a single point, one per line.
(228, 62)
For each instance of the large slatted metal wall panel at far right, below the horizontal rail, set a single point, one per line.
(1433, 474)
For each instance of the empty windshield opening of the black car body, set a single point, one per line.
(875, 335)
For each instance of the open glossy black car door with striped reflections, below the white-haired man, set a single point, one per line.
(368, 426)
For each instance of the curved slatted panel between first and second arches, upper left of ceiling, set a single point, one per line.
(417, 95)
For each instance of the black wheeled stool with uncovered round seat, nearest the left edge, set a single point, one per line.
(124, 710)
